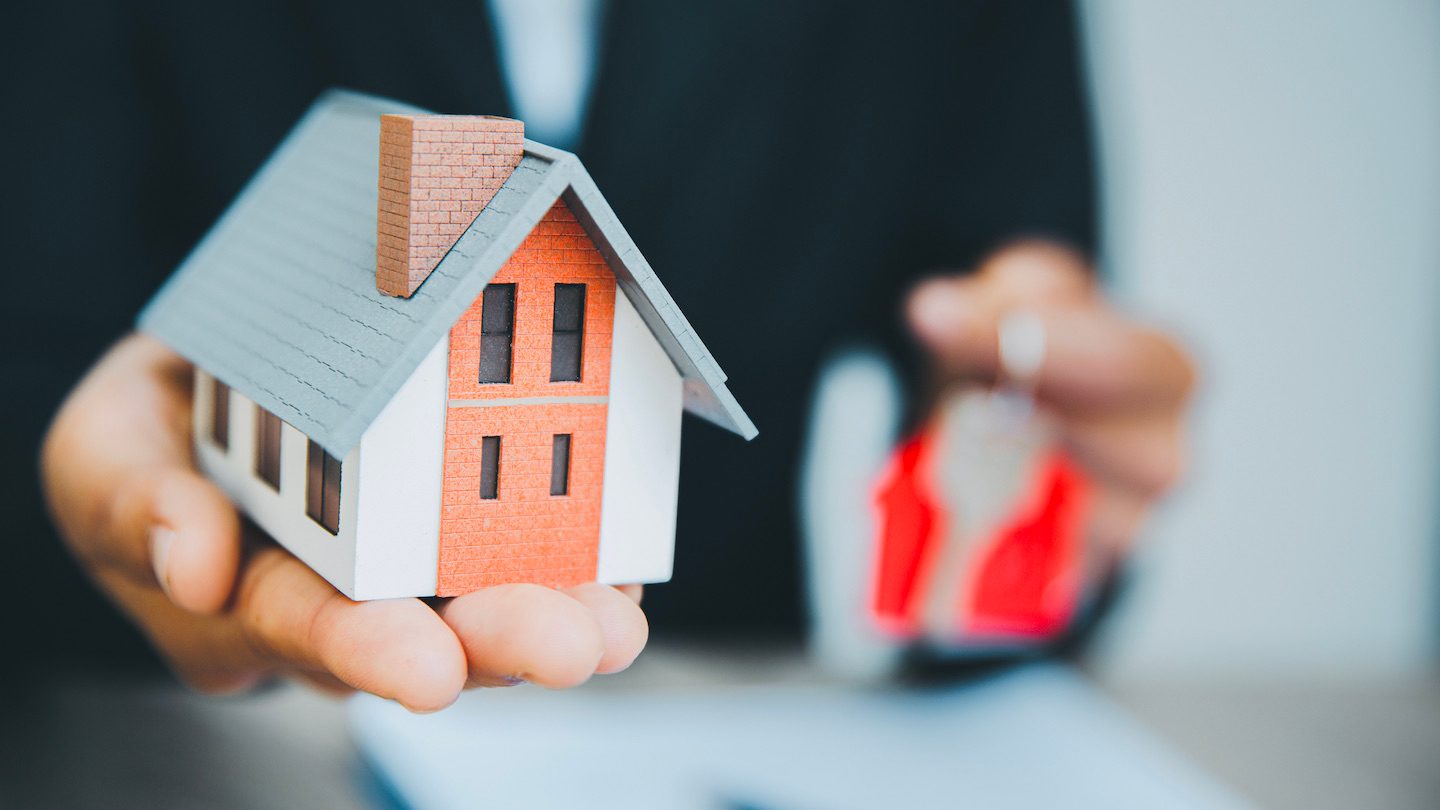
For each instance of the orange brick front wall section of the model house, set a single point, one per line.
(526, 535)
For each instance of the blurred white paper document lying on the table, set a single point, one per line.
(1040, 737)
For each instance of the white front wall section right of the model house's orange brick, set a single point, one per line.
(642, 458)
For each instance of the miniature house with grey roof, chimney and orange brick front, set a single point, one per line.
(454, 373)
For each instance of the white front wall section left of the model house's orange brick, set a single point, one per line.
(402, 456)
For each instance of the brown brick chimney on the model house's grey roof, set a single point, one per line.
(437, 175)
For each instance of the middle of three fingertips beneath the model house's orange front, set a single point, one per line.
(531, 633)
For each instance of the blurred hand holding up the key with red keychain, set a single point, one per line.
(1118, 390)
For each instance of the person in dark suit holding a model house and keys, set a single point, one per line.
(814, 164)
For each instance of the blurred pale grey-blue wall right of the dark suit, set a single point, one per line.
(1274, 190)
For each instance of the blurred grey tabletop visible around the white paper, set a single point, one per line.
(87, 743)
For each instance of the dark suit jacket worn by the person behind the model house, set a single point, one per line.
(790, 169)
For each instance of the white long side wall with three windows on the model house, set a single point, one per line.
(280, 514)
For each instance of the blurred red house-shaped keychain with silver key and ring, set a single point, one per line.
(981, 518)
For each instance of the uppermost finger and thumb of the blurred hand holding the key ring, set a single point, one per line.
(1095, 360)
